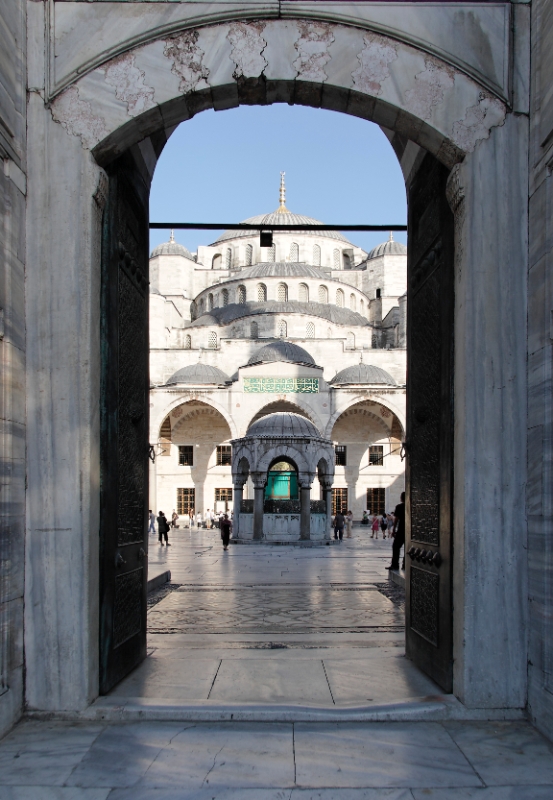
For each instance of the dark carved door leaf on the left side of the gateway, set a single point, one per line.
(124, 425)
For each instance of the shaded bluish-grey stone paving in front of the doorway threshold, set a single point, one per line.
(311, 761)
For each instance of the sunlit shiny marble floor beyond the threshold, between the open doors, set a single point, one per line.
(275, 624)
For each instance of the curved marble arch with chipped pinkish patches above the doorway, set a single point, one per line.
(158, 85)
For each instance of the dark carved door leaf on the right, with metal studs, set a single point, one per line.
(429, 478)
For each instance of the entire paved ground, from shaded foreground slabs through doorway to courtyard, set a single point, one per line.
(273, 673)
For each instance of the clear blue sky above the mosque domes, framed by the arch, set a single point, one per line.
(225, 166)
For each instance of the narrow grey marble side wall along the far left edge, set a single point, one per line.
(12, 355)
